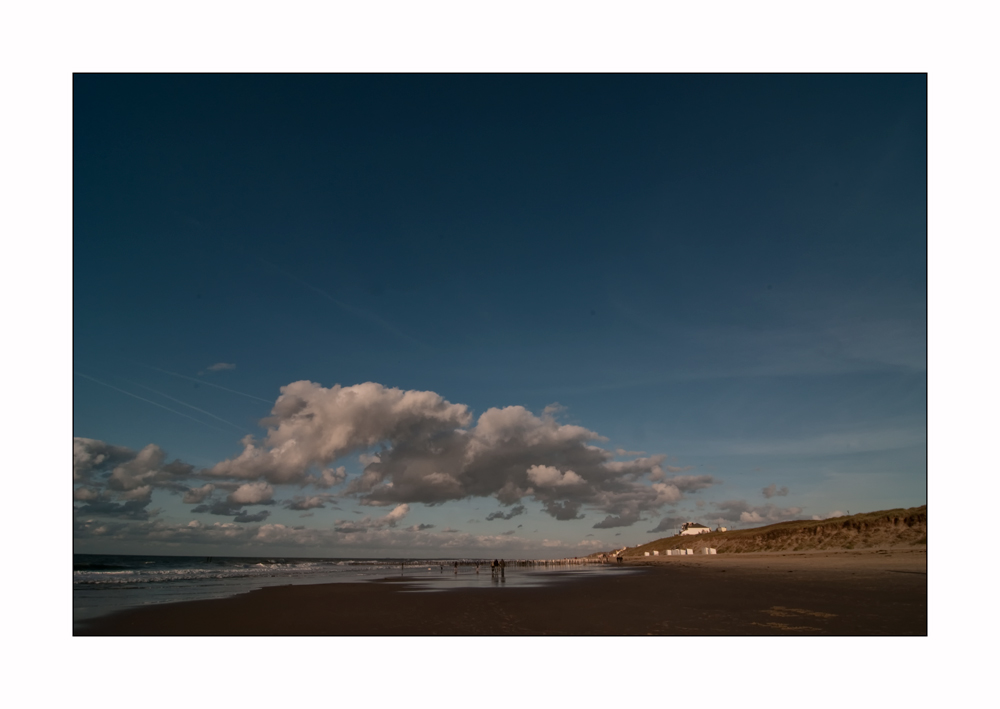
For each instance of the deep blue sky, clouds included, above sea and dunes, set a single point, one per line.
(461, 315)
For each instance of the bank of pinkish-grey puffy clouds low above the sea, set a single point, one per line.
(415, 447)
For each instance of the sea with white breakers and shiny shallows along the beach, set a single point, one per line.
(103, 584)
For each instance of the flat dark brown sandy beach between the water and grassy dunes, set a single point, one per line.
(820, 593)
